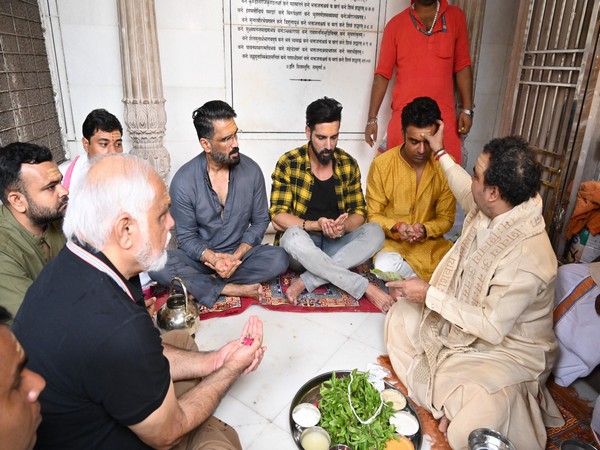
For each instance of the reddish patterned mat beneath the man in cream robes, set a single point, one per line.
(576, 411)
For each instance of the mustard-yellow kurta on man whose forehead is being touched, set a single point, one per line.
(392, 196)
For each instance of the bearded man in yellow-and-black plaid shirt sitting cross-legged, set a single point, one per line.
(318, 210)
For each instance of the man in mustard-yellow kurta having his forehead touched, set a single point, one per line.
(408, 195)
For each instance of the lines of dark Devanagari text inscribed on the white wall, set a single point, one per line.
(307, 35)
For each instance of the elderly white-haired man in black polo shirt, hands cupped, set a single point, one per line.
(111, 383)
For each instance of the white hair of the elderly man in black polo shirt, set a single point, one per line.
(98, 201)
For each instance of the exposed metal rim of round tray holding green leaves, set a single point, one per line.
(310, 393)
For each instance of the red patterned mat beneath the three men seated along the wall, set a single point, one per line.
(327, 298)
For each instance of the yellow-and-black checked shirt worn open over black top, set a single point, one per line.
(293, 180)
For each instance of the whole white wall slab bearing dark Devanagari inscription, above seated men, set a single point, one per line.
(298, 49)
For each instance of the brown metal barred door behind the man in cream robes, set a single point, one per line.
(552, 58)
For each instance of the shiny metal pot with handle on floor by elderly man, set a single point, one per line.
(178, 313)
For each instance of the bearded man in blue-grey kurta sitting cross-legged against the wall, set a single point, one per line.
(220, 208)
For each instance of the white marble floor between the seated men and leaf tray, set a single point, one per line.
(299, 347)
